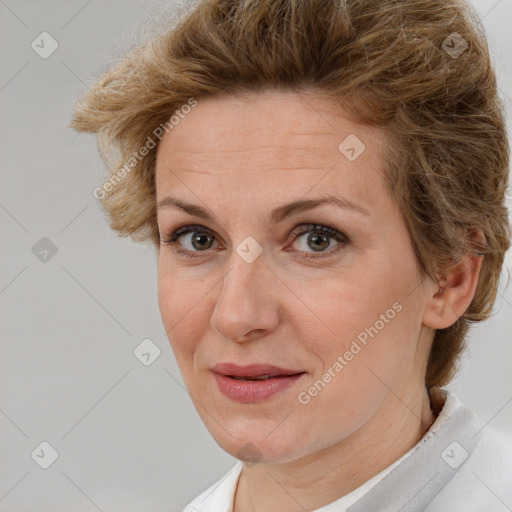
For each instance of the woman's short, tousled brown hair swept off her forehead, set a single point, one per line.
(392, 62)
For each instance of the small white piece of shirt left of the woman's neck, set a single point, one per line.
(219, 496)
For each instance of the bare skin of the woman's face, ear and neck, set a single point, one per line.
(239, 157)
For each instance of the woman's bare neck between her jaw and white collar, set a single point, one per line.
(338, 469)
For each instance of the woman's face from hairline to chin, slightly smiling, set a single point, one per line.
(260, 283)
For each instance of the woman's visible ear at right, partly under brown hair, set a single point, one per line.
(455, 291)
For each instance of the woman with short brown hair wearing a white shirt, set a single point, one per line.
(324, 183)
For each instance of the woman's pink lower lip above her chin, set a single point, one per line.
(251, 391)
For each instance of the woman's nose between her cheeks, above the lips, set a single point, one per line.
(246, 307)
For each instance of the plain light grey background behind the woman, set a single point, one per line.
(127, 435)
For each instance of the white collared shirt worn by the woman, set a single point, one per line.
(460, 464)
